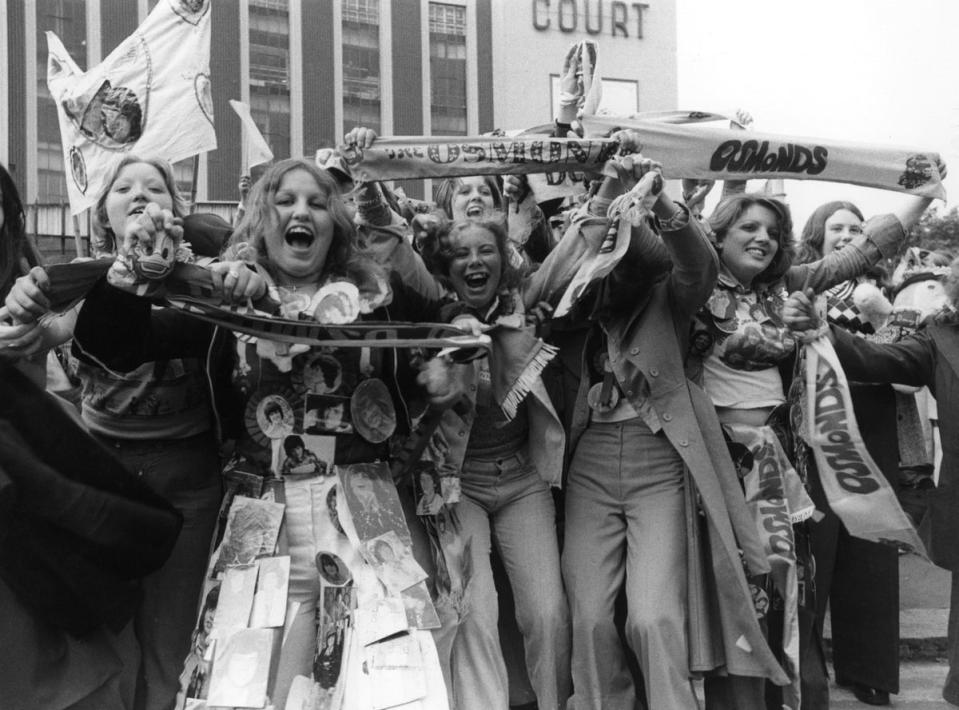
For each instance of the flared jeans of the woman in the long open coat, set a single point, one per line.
(626, 525)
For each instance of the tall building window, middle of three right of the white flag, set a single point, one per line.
(361, 64)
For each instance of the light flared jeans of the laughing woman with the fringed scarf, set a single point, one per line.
(507, 503)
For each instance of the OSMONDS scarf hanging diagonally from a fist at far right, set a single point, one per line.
(856, 489)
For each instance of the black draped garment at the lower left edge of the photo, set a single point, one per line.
(78, 530)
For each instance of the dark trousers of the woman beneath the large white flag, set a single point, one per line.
(187, 473)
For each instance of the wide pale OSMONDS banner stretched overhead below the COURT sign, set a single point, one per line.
(725, 154)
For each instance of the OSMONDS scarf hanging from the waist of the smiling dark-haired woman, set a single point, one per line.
(771, 497)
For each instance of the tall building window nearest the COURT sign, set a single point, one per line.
(448, 69)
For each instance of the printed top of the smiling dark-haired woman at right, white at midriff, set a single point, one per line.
(739, 339)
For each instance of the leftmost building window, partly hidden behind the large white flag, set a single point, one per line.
(66, 18)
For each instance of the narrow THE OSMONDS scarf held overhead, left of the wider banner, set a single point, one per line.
(426, 157)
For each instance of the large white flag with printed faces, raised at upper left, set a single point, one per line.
(151, 96)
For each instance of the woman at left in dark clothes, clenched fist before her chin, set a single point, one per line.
(156, 415)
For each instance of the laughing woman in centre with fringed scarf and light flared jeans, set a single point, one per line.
(508, 458)
